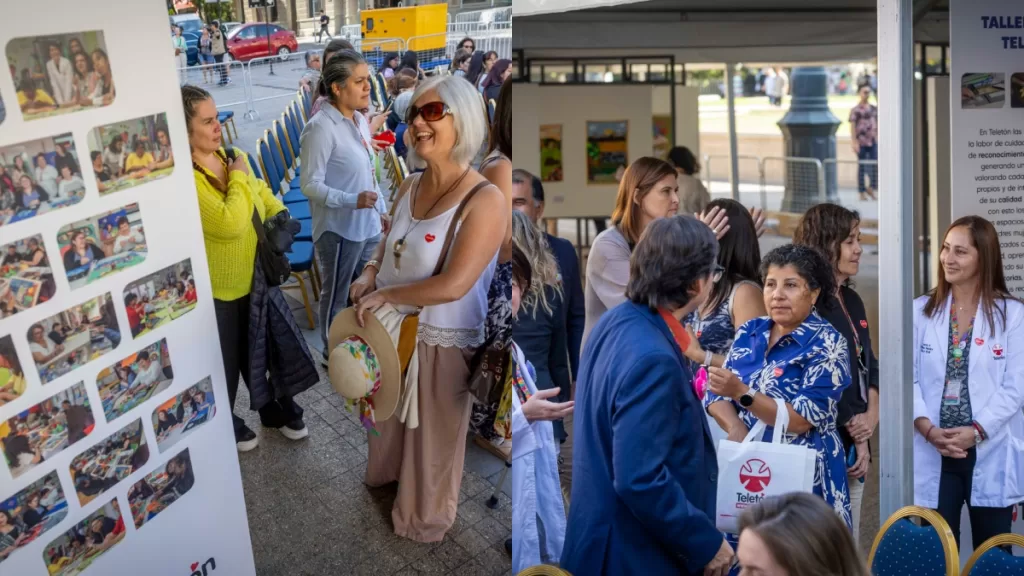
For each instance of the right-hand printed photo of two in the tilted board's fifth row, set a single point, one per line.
(136, 380)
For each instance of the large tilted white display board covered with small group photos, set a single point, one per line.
(117, 454)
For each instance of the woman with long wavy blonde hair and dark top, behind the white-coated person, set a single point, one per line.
(541, 327)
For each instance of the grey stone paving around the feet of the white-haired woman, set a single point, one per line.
(311, 515)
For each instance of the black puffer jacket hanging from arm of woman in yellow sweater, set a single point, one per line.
(281, 365)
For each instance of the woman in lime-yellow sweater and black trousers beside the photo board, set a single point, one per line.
(229, 193)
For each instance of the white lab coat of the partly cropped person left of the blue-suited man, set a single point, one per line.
(537, 492)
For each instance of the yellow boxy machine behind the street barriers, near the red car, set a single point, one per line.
(420, 28)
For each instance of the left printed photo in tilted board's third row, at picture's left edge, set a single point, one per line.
(26, 277)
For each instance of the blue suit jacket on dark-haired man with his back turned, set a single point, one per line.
(645, 471)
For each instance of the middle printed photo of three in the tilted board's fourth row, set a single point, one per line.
(74, 338)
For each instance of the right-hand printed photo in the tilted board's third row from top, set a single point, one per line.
(103, 245)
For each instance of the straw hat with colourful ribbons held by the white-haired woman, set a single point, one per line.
(364, 364)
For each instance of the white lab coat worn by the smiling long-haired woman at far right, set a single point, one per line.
(996, 377)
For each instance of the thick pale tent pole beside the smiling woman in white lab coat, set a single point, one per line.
(897, 243)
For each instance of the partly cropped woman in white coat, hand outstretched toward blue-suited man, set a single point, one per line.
(538, 510)
